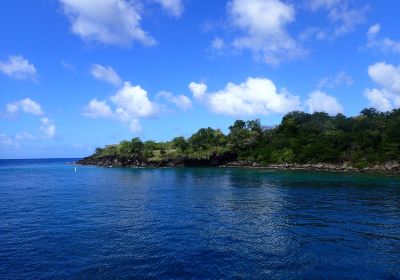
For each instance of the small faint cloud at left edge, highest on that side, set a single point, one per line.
(18, 67)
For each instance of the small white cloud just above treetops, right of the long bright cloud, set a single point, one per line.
(319, 101)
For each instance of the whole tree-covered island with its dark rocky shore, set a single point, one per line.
(368, 142)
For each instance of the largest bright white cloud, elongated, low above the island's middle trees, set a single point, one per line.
(256, 96)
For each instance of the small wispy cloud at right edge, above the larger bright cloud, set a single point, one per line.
(382, 44)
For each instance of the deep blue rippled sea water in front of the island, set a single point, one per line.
(109, 223)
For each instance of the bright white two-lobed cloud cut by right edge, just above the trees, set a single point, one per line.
(387, 76)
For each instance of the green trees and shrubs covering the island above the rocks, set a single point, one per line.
(370, 138)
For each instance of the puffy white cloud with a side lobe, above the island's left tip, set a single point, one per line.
(131, 104)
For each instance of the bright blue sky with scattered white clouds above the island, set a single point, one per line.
(80, 74)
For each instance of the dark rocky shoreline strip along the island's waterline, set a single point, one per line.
(229, 161)
